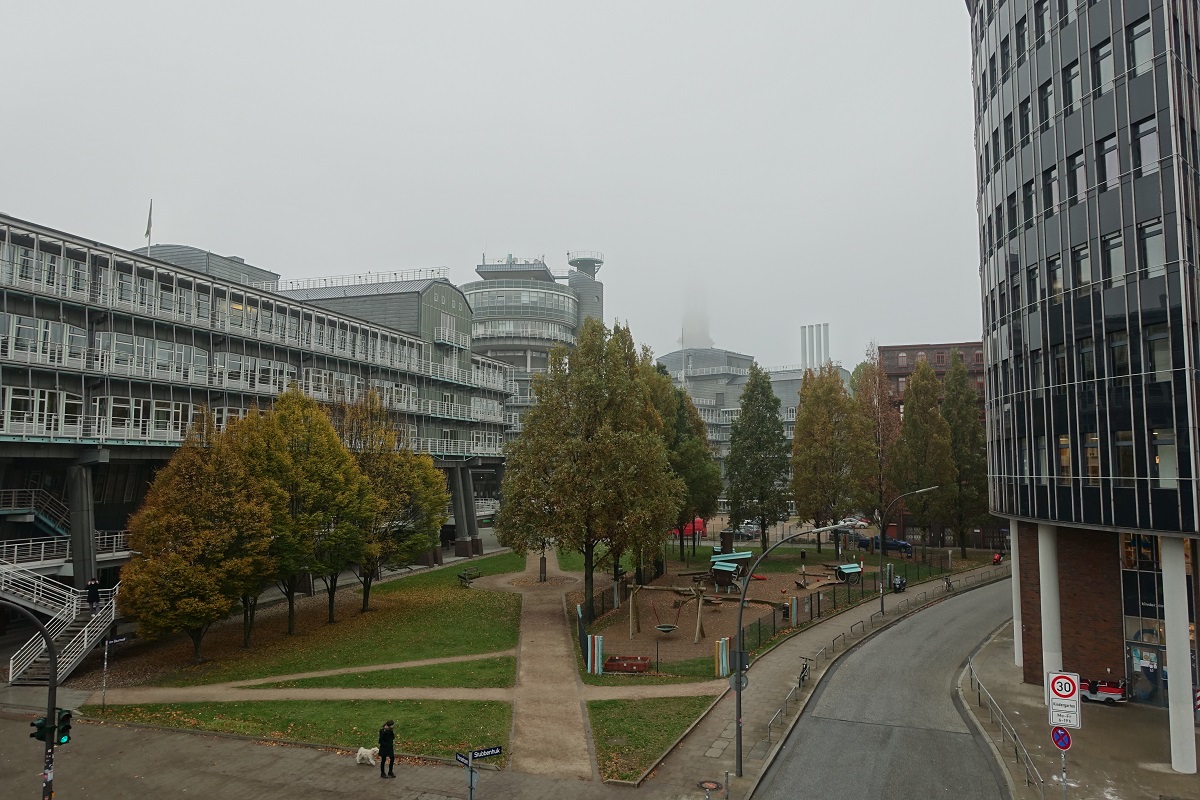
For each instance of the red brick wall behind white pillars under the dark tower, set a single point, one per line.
(1090, 587)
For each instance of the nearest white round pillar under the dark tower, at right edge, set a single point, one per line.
(1179, 655)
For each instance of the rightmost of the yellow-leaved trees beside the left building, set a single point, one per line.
(409, 491)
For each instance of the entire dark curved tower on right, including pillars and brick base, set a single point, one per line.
(1087, 143)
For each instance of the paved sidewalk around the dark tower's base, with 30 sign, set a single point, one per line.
(1121, 751)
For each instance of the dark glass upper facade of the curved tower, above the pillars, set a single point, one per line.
(1088, 231)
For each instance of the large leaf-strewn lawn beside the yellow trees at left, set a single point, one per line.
(427, 616)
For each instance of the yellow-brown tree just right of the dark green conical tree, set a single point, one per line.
(831, 449)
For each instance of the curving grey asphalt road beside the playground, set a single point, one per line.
(885, 724)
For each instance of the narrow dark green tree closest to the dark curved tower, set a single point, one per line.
(969, 450)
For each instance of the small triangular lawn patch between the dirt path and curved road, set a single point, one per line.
(633, 735)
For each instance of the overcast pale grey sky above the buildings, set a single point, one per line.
(773, 164)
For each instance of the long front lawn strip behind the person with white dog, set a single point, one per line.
(437, 729)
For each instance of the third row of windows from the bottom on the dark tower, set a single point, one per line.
(1109, 268)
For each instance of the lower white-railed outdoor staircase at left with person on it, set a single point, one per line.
(73, 627)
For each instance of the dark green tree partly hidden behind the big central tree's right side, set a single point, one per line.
(687, 441)
